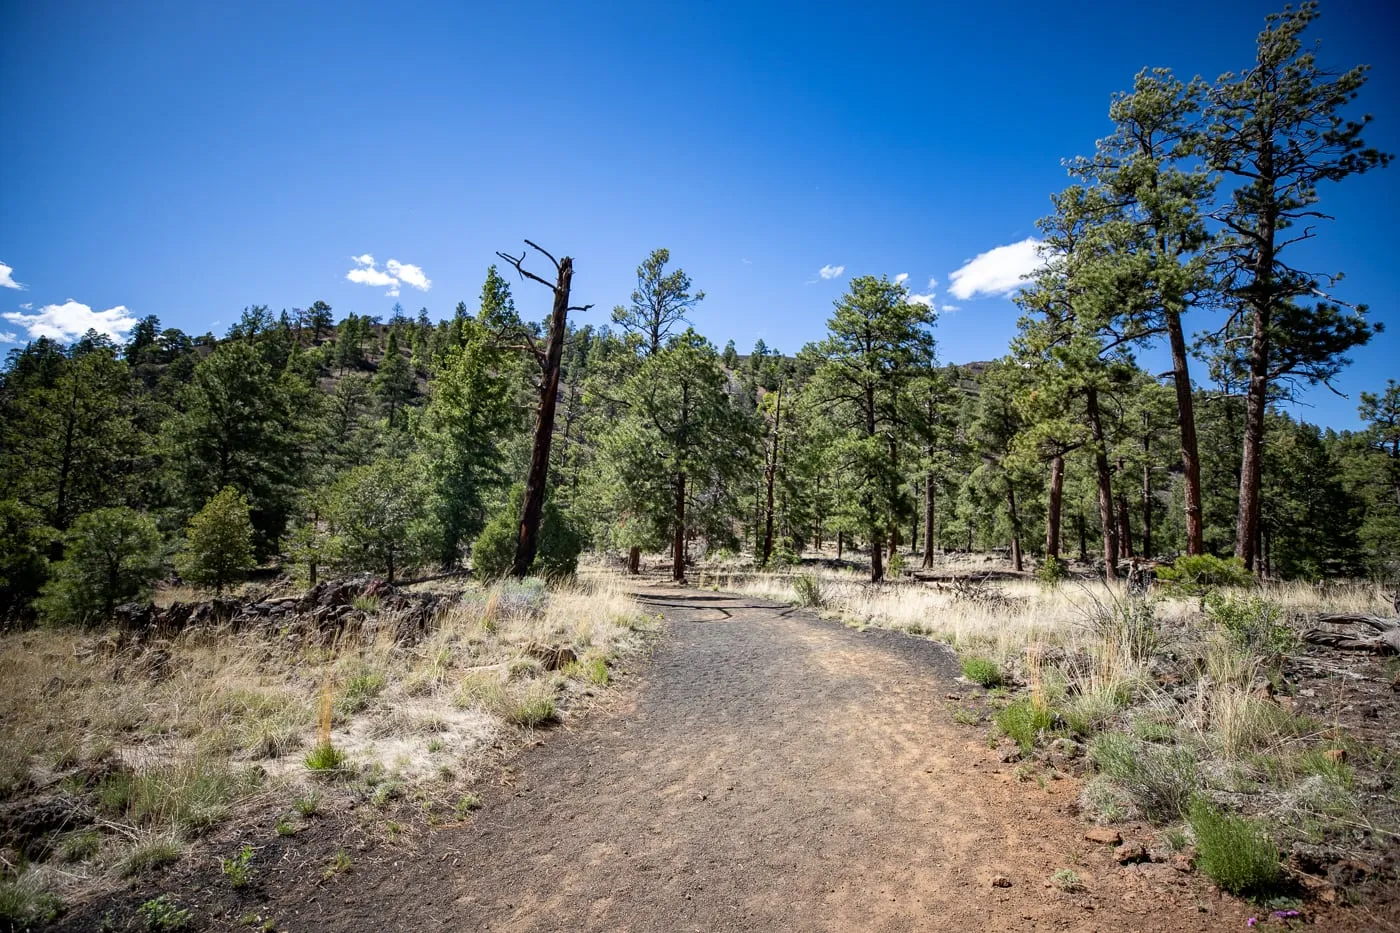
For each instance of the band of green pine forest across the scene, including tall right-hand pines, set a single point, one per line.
(384, 446)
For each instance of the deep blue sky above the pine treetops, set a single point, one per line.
(188, 160)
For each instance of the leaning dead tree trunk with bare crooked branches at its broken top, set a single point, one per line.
(549, 365)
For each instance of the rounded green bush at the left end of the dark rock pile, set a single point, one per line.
(111, 557)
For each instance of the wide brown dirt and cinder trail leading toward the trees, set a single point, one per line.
(771, 773)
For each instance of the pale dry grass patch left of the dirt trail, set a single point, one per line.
(170, 739)
